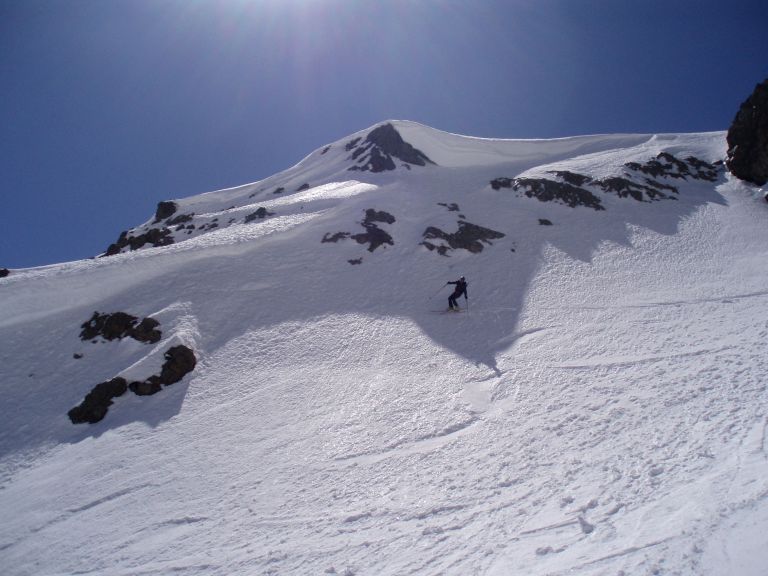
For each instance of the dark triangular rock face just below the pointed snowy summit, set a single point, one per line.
(380, 149)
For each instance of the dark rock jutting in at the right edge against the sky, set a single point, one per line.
(748, 138)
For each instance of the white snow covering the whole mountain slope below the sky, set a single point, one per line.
(599, 408)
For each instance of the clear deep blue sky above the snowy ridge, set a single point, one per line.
(109, 106)
